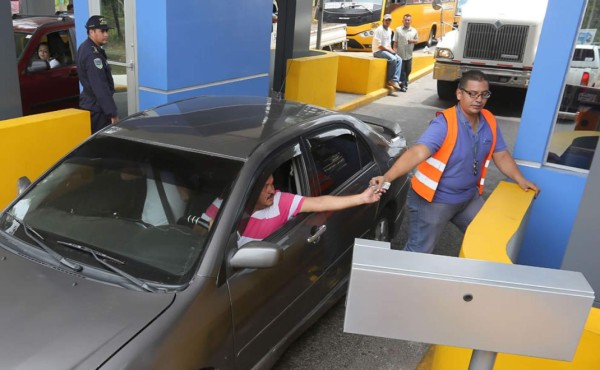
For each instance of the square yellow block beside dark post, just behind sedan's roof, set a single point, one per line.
(312, 79)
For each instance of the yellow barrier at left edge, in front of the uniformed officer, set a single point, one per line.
(31, 144)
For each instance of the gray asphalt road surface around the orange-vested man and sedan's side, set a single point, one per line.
(325, 345)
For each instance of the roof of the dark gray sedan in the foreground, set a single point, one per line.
(226, 126)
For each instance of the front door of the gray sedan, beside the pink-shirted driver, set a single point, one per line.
(269, 304)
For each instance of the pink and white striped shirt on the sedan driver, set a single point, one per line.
(266, 221)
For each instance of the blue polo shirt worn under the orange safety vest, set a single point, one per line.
(458, 184)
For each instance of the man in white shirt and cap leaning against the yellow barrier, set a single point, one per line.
(382, 48)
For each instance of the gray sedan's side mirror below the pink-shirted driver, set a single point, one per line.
(258, 255)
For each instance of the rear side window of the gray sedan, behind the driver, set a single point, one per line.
(338, 155)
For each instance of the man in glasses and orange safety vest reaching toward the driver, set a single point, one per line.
(452, 157)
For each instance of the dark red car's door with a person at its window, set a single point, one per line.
(51, 89)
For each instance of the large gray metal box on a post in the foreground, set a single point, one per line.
(459, 302)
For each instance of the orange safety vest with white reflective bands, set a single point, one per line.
(428, 174)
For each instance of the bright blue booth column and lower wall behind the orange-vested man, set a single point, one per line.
(553, 212)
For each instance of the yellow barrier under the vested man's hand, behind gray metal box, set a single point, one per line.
(494, 236)
